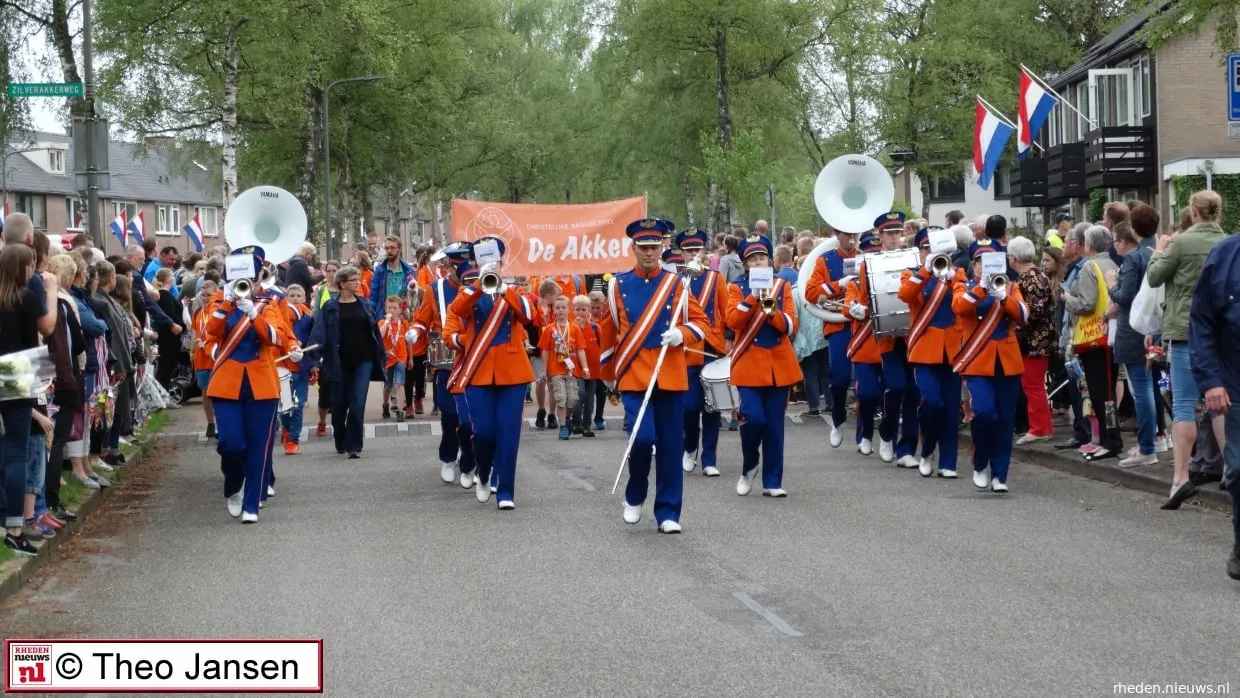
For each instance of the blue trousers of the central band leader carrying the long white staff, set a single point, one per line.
(663, 425)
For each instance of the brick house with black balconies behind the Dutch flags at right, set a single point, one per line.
(1148, 115)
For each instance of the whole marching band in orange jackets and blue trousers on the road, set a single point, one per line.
(908, 332)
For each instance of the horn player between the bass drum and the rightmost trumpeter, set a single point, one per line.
(934, 340)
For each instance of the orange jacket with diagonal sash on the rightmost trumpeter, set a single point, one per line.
(990, 338)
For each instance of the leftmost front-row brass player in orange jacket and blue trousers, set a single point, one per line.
(246, 390)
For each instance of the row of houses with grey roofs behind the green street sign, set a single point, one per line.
(39, 182)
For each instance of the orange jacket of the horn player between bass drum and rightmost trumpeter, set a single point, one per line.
(934, 334)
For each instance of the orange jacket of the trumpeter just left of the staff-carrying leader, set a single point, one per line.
(505, 361)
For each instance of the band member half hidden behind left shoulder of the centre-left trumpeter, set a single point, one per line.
(432, 318)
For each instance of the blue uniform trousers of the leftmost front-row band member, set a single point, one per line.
(247, 430)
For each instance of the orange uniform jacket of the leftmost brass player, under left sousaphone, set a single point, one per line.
(254, 356)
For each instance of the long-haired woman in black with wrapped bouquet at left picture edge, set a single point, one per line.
(19, 332)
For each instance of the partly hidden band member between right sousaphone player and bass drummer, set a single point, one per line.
(865, 353)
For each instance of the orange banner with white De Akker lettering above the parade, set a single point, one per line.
(549, 240)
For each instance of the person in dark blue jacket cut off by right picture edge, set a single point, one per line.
(1215, 345)
